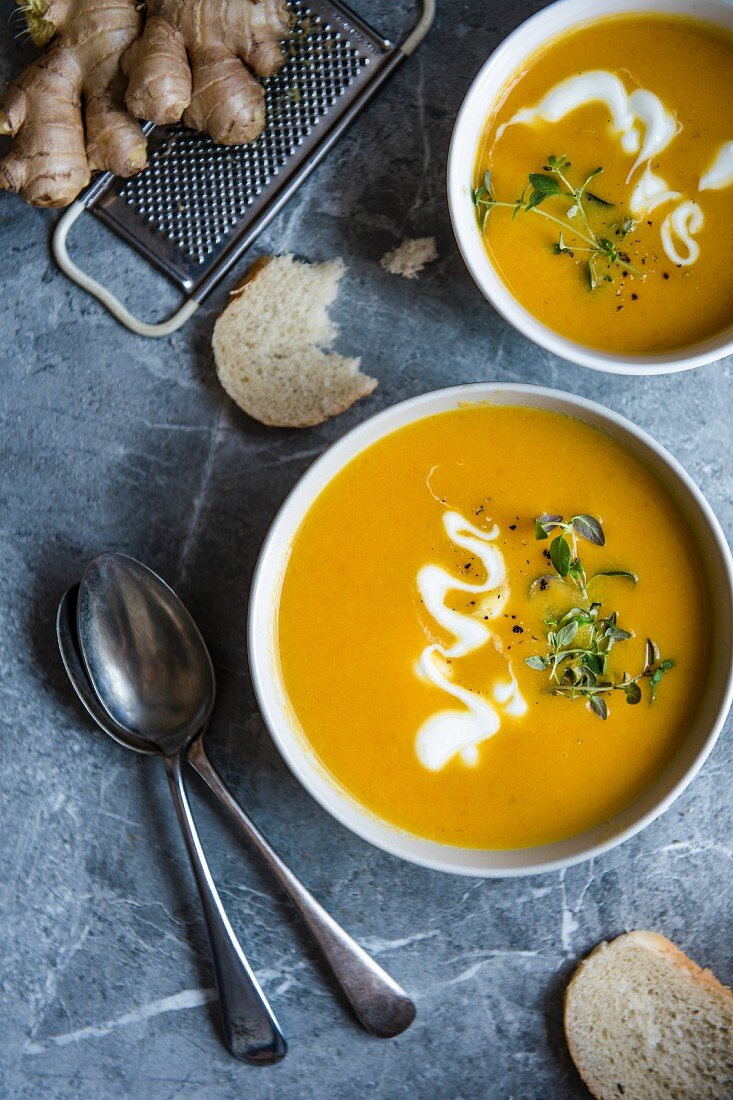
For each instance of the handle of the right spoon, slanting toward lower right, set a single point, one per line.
(381, 1006)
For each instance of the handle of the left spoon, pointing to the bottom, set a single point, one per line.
(250, 1028)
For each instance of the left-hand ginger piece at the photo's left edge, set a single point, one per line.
(75, 86)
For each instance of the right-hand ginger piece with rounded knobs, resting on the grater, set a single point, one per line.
(192, 64)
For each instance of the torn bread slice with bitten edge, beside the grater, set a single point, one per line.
(269, 346)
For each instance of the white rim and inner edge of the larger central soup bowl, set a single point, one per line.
(292, 743)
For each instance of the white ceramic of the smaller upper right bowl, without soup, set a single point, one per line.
(482, 98)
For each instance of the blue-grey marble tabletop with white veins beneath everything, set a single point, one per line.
(110, 441)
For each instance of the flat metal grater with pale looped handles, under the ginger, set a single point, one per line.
(199, 206)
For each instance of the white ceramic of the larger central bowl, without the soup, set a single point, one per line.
(291, 741)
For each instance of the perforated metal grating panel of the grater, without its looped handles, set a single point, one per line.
(195, 197)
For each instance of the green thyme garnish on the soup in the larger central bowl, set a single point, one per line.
(581, 641)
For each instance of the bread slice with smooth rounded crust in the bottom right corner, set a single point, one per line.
(643, 1022)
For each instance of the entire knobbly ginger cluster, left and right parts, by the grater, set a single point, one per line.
(68, 112)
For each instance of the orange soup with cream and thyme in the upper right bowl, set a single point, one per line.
(647, 100)
